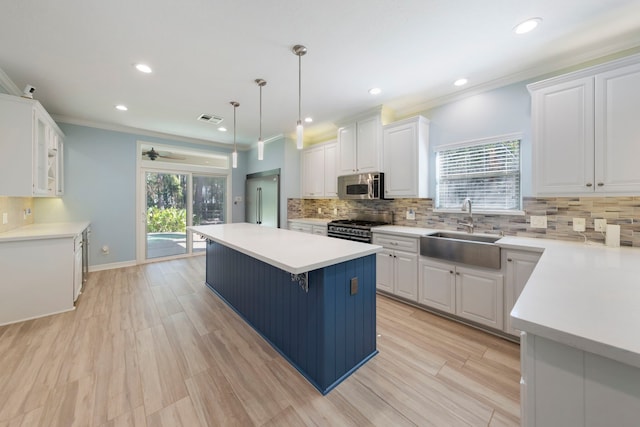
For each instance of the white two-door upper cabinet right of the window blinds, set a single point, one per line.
(585, 131)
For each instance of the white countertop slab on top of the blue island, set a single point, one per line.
(288, 250)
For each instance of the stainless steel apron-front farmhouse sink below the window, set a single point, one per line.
(472, 249)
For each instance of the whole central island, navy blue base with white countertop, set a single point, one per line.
(312, 297)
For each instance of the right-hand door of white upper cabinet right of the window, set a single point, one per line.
(617, 140)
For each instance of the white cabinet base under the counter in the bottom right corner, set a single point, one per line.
(565, 386)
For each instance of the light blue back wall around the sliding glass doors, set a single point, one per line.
(100, 187)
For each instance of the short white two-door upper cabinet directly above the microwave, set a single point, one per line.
(359, 146)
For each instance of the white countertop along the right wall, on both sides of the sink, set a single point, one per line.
(583, 295)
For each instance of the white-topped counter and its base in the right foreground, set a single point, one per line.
(580, 351)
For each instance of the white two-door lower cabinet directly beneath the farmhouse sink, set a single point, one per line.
(474, 294)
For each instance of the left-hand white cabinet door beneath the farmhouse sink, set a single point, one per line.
(437, 285)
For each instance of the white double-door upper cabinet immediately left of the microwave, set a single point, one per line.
(319, 170)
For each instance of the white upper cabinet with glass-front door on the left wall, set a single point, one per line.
(31, 144)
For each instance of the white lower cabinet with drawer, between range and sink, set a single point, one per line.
(397, 265)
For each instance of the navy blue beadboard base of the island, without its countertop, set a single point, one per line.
(326, 333)
